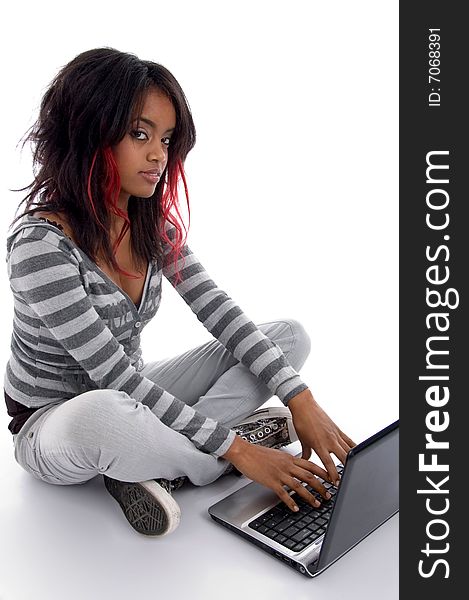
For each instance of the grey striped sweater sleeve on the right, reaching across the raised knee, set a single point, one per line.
(225, 320)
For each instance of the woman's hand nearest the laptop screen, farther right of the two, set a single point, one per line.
(317, 431)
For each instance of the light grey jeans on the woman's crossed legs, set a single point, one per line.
(107, 432)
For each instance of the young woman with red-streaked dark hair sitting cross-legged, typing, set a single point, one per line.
(85, 262)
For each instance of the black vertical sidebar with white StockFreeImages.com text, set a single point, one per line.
(434, 229)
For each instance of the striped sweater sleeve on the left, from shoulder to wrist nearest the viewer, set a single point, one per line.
(47, 278)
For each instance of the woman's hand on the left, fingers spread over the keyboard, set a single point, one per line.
(276, 469)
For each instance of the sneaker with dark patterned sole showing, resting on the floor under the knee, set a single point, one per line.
(147, 505)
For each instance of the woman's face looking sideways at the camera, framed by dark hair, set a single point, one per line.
(142, 154)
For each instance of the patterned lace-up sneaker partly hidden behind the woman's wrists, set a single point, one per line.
(271, 427)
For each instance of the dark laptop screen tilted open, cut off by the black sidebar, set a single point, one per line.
(369, 494)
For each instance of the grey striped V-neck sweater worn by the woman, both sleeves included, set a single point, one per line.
(75, 330)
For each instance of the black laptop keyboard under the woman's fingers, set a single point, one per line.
(297, 530)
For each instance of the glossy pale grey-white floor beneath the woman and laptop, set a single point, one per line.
(73, 543)
